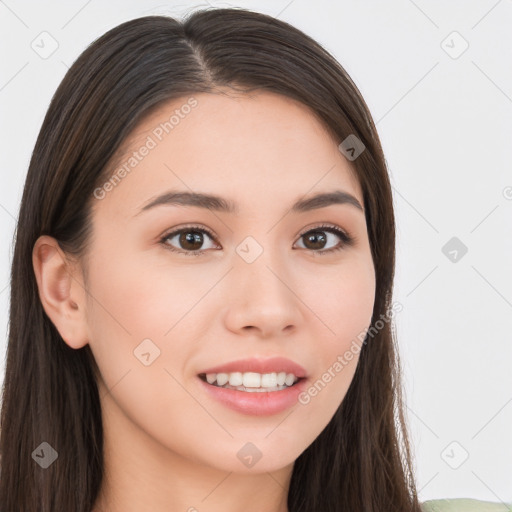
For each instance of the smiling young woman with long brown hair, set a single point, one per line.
(258, 374)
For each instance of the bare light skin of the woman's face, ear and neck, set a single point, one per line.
(169, 446)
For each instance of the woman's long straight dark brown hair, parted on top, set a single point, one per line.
(361, 461)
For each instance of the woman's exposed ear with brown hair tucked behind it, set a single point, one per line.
(61, 291)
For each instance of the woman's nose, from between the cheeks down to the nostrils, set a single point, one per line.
(262, 299)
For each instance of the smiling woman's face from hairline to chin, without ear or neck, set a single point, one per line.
(176, 289)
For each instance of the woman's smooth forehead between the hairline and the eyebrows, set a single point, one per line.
(250, 147)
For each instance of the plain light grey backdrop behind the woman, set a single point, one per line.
(444, 118)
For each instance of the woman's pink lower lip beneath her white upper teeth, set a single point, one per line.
(257, 403)
